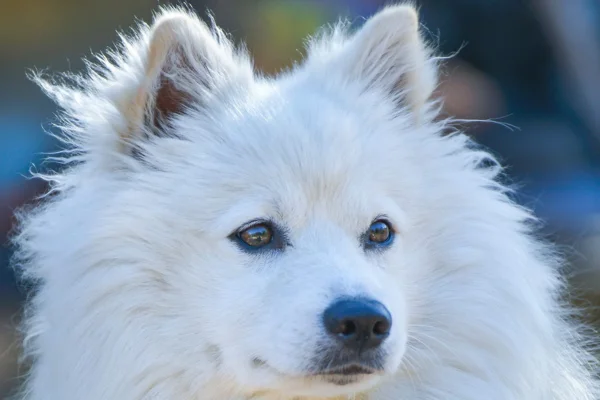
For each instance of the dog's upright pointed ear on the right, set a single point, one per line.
(389, 55)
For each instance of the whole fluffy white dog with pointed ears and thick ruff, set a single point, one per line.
(217, 234)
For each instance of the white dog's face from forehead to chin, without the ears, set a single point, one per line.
(294, 275)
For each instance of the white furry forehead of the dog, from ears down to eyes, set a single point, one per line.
(296, 161)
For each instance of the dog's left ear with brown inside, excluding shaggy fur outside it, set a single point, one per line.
(185, 65)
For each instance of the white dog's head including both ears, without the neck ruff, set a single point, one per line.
(259, 228)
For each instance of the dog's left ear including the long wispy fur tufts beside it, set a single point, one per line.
(176, 64)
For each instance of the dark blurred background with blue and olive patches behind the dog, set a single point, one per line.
(534, 64)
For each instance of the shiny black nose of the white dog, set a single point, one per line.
(358, 323)
